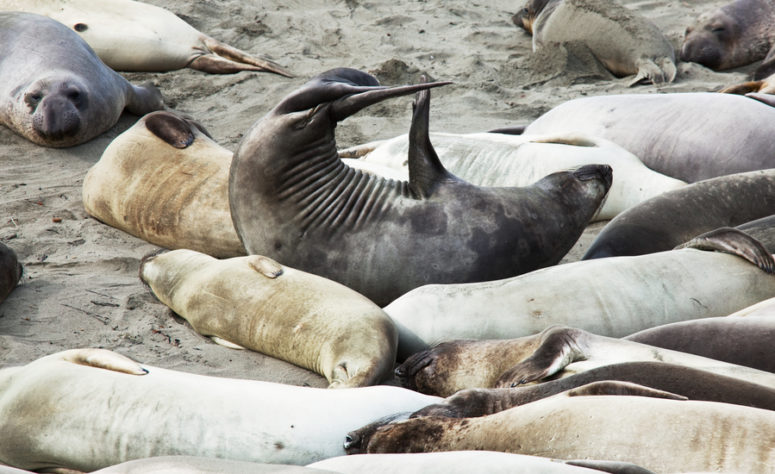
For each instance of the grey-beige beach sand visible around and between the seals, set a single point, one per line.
(80, 286)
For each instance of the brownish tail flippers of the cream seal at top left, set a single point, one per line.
(221, 58)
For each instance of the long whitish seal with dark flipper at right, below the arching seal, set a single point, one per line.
(579, 294)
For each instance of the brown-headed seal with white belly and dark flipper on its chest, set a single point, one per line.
(555, 352)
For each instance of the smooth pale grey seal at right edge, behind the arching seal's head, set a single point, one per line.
(674, 134)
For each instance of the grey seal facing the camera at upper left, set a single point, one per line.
(54, 90)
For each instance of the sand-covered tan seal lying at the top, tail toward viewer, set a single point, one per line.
(623, 41)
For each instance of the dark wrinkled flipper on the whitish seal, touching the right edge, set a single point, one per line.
(734, 242)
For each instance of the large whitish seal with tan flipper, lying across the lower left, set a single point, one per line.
(87, 409)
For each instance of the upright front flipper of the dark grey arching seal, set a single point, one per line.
(425, 169)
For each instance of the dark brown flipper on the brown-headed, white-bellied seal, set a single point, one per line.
(559, 347)
